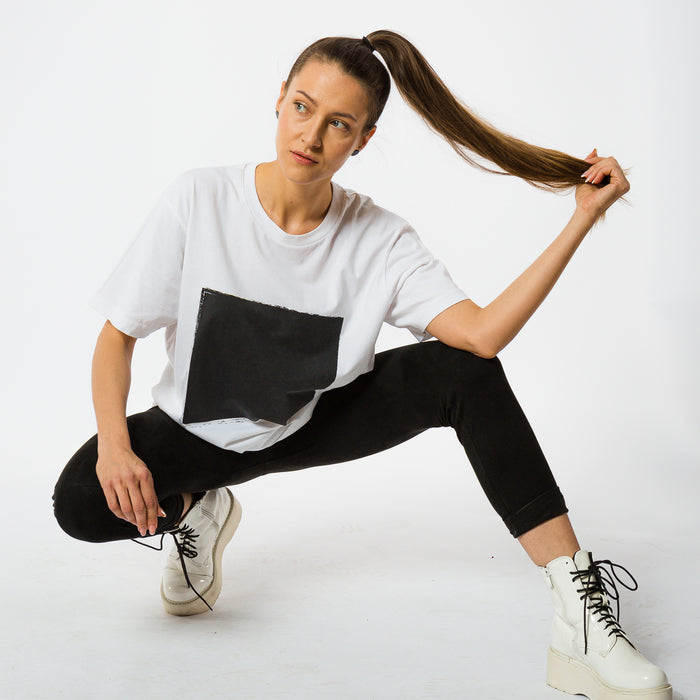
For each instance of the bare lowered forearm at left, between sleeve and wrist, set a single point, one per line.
(111, 380)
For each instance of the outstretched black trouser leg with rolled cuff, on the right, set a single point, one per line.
(421, 386)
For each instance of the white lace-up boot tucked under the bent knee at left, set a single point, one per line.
(200, 538)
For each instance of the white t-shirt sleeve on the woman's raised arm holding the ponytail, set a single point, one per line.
(418, 284)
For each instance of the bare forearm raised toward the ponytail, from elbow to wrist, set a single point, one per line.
(502, 319)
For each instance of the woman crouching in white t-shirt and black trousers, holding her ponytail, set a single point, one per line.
(272, 283)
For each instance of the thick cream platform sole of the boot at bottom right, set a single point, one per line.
(571, 676)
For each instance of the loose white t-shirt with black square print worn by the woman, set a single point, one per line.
(259, 322)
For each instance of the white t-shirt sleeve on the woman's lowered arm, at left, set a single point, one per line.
(142, 292)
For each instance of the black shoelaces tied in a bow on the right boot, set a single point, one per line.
(596, 580)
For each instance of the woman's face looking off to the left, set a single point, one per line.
(322, 116)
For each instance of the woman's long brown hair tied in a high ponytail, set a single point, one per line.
(425, 92)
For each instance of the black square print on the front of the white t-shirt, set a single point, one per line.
(257, 361)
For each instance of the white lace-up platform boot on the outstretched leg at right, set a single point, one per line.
(590, 654)
